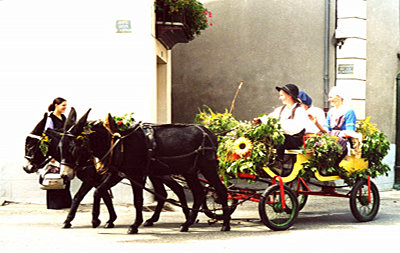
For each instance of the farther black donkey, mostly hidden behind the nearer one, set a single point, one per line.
(89, 176)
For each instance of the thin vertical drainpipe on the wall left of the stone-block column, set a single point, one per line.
(326, 53)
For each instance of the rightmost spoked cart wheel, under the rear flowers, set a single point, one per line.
(364, 206)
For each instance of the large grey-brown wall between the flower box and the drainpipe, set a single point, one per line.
(265, 43)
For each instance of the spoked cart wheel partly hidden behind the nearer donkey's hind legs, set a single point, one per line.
(212, 207)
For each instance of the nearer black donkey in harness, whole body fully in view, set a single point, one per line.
(155, 151)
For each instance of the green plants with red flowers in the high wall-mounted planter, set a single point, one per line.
(196, 15)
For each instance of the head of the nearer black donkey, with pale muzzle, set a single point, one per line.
(72, 147)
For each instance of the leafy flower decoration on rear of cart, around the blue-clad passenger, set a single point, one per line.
(324, 153)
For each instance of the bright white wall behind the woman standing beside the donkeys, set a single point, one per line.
(51, 48)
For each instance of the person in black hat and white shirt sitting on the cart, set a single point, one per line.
(293, 119)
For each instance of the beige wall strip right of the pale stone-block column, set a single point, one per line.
(383, 65)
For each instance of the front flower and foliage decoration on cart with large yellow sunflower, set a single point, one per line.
(242, 146)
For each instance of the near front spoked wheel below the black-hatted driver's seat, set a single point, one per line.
(271, 209)
